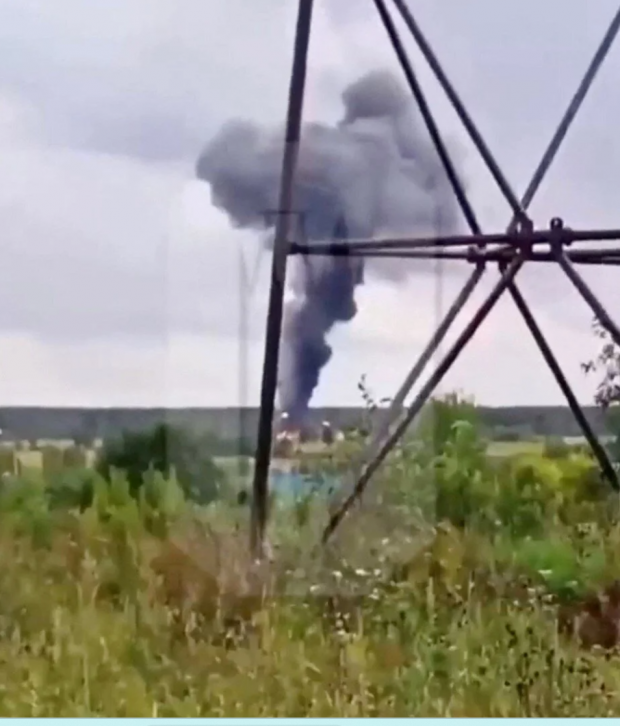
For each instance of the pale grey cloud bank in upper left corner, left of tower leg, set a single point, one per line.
(144, 78)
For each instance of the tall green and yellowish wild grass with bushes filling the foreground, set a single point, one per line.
(438, 597)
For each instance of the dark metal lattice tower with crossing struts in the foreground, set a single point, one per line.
(520, 244)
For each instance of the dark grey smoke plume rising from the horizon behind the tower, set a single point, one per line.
(374, 173)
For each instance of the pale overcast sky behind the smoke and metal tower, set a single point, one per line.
(121, 281)
